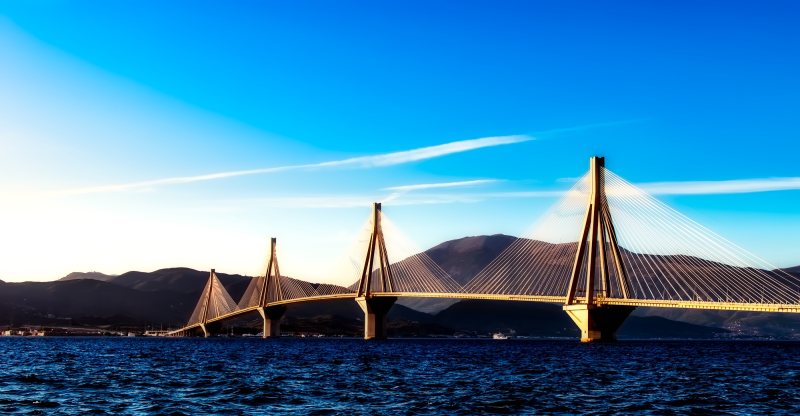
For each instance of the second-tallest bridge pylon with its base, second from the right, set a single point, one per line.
(376, 308)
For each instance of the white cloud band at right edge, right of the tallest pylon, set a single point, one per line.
(737, 186)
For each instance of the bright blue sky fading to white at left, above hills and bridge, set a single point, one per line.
(143, 135)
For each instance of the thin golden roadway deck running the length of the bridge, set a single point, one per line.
(681, 304)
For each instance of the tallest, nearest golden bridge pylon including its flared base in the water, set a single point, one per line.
(597, 242)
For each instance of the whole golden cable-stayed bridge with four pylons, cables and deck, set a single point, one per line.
(604, 249)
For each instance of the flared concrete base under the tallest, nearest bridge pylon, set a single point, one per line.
(598, 323)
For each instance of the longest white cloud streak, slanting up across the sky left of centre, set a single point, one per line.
(379, 160)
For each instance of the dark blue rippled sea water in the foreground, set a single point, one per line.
(341, 376)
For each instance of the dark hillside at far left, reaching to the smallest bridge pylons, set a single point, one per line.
(163, 297)
